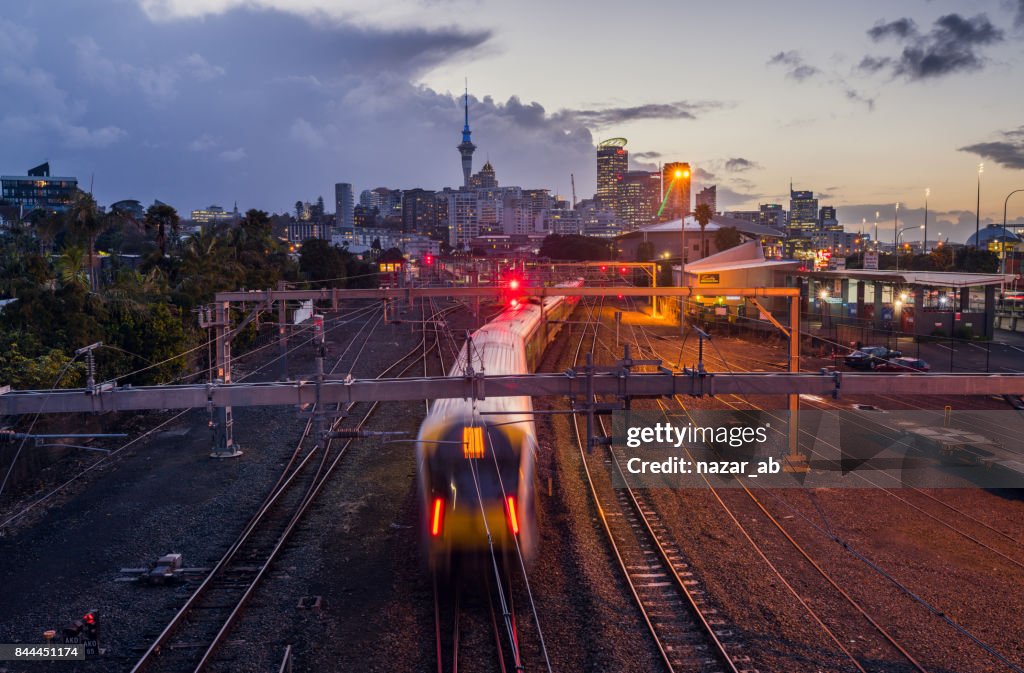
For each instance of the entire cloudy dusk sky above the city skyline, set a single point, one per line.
(270, 102)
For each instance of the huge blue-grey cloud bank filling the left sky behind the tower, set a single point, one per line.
(262, 107)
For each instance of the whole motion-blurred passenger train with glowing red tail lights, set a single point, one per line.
(476, 460)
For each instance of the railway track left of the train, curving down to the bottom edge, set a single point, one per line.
(194, 636)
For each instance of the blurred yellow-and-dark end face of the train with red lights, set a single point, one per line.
(476, 481)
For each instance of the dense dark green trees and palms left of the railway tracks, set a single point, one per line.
(142, 308)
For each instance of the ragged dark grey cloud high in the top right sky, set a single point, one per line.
(952, 47)
